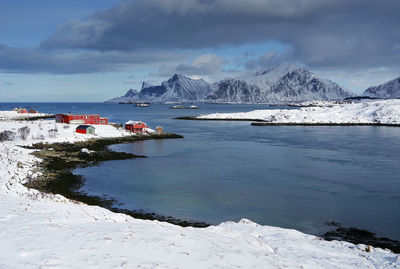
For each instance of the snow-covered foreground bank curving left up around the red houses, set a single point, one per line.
(40, 230)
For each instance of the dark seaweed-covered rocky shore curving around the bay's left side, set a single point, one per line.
(59, 159)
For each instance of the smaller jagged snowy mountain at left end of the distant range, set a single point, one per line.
(177, 89)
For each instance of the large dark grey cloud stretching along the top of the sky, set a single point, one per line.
(322, 33)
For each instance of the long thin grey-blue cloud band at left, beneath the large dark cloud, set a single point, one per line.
(26, 60)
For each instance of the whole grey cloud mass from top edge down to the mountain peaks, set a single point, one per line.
(342, 34)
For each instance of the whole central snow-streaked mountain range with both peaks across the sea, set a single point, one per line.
(284, 83)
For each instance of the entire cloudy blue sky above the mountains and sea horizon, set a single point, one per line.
(93, 50)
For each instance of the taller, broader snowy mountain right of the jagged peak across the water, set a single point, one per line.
(284, 83)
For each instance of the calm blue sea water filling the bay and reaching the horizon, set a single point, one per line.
(288, 176)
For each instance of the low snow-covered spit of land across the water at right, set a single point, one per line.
(375, 112)
